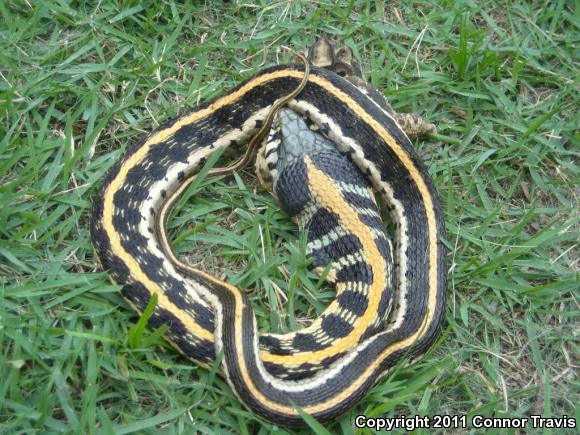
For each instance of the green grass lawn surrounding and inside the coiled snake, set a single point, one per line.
(80, 81)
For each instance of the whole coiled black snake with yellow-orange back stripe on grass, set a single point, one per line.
(325, 145)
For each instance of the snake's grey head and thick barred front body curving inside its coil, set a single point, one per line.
(340, 228)
